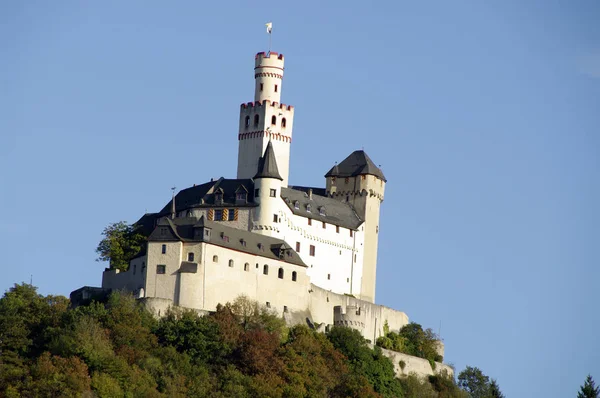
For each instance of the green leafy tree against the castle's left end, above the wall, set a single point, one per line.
(120, 244)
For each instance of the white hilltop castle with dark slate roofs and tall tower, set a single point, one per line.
(308, 253)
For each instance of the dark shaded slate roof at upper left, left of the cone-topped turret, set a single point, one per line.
(204, 195)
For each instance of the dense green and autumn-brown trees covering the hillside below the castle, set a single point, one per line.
(118, 349)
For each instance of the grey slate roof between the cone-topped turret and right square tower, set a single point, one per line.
(335, 212)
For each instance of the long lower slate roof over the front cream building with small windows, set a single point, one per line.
(183, 229)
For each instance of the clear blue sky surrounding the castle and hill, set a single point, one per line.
(484, 116)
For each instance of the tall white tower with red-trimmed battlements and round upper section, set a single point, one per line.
(266, 119)
